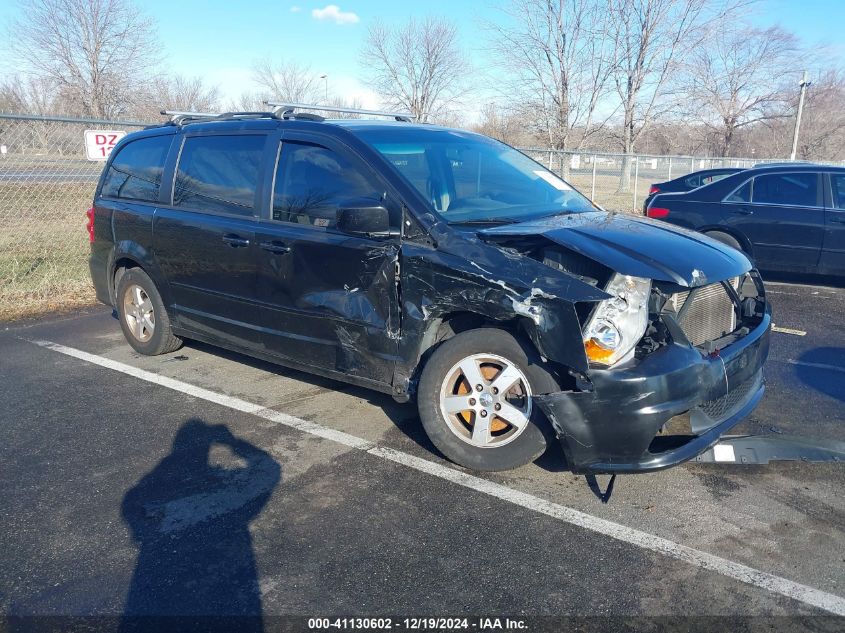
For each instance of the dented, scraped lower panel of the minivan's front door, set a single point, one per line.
(331, 301)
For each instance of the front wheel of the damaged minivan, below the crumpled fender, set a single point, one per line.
(475, 400)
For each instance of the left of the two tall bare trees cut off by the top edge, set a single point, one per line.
(558, 65)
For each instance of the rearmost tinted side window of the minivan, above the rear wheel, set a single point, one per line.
(135, 172)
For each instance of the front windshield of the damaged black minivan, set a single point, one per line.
(466, 177)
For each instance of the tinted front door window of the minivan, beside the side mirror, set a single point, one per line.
(313, 182)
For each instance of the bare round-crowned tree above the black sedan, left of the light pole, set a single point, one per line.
(737, 79)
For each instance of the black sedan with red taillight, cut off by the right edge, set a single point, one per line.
(788, 218)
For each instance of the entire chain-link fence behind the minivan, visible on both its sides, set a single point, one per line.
(46, 185)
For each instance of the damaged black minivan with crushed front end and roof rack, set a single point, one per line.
(438, 265)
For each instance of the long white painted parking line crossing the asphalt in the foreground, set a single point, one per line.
(775, 584)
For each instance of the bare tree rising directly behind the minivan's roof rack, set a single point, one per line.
(418, 67)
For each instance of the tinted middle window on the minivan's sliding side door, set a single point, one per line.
(219, 173)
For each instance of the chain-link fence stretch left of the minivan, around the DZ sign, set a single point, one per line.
(46, 185)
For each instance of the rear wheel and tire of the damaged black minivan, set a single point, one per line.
(143, 317)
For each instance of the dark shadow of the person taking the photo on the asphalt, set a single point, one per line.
(190, 518)
